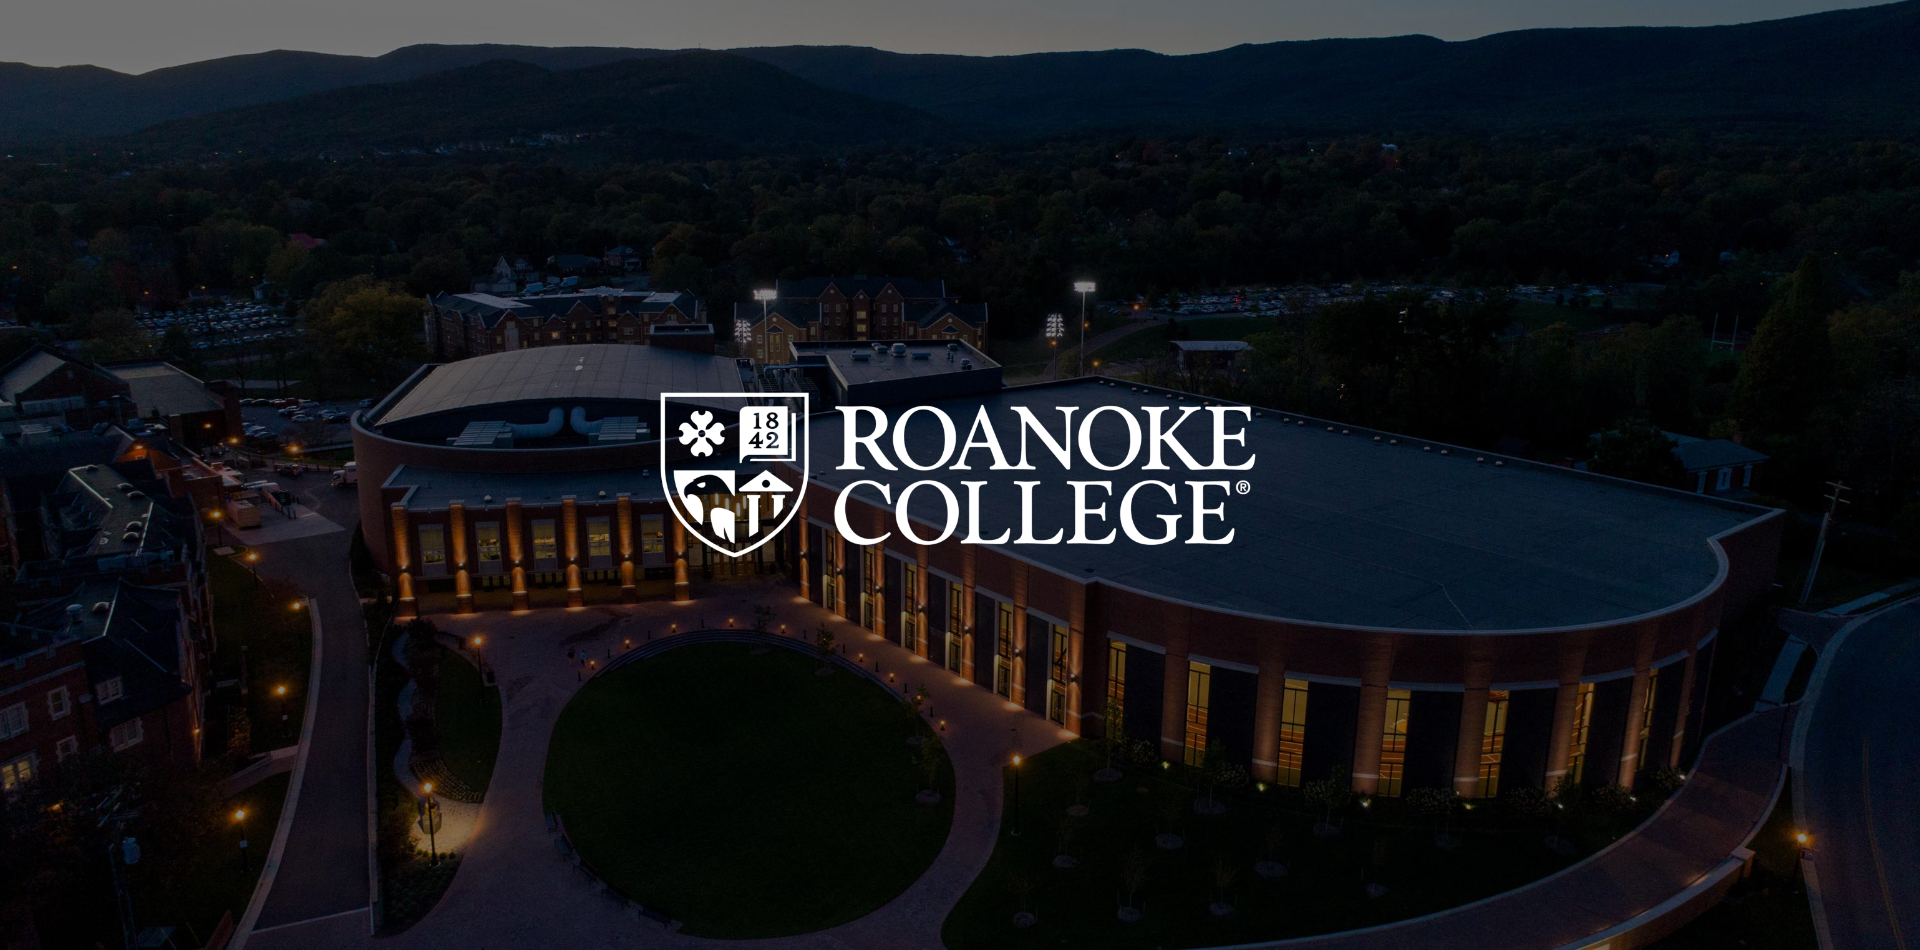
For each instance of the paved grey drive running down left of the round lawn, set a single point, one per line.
(324, 870)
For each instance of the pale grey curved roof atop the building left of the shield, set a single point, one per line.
(562, 373)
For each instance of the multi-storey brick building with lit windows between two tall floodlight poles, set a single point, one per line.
(857, 310)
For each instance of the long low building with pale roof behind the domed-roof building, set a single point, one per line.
(471, 325)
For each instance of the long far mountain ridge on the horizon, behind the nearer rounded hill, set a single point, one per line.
(1854, 72)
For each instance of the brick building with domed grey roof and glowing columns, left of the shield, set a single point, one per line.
(531, 479)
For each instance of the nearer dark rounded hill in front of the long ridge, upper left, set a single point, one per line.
(675, 107)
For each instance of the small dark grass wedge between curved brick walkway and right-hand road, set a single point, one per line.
(1769, 911)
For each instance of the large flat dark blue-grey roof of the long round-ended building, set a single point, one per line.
(1337, 529)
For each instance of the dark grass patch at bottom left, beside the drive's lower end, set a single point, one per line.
(210, 882)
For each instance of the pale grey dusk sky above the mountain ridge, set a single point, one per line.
(137, 36)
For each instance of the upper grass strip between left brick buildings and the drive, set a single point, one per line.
(258, 621)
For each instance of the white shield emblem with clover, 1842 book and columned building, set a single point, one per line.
(729, 463)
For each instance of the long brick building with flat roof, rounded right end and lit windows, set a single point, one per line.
(1391, 609)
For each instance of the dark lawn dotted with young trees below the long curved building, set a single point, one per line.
(1326, 888)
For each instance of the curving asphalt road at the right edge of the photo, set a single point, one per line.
(1860, 784)
